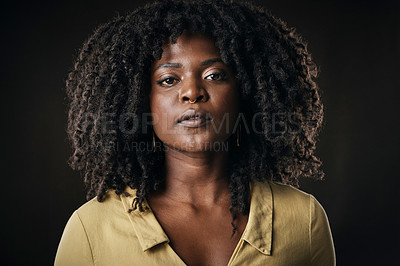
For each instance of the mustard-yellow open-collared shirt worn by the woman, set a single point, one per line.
(285, 227)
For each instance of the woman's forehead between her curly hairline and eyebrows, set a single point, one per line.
(190, 44)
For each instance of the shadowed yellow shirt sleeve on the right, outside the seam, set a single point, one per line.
(321, 242)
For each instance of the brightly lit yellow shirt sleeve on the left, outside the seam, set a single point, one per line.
(74, 247)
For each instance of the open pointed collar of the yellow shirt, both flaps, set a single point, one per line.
(258, 231)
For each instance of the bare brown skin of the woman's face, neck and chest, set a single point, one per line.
(193, 207)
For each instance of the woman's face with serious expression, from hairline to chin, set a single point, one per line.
(193, 98)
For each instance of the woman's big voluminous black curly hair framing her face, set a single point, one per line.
(275, 76)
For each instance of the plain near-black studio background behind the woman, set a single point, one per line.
(356, 45)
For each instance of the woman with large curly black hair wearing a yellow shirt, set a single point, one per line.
(189, 121)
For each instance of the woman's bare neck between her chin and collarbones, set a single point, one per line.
(197, 178)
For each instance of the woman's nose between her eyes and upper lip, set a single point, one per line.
(192, 91)
